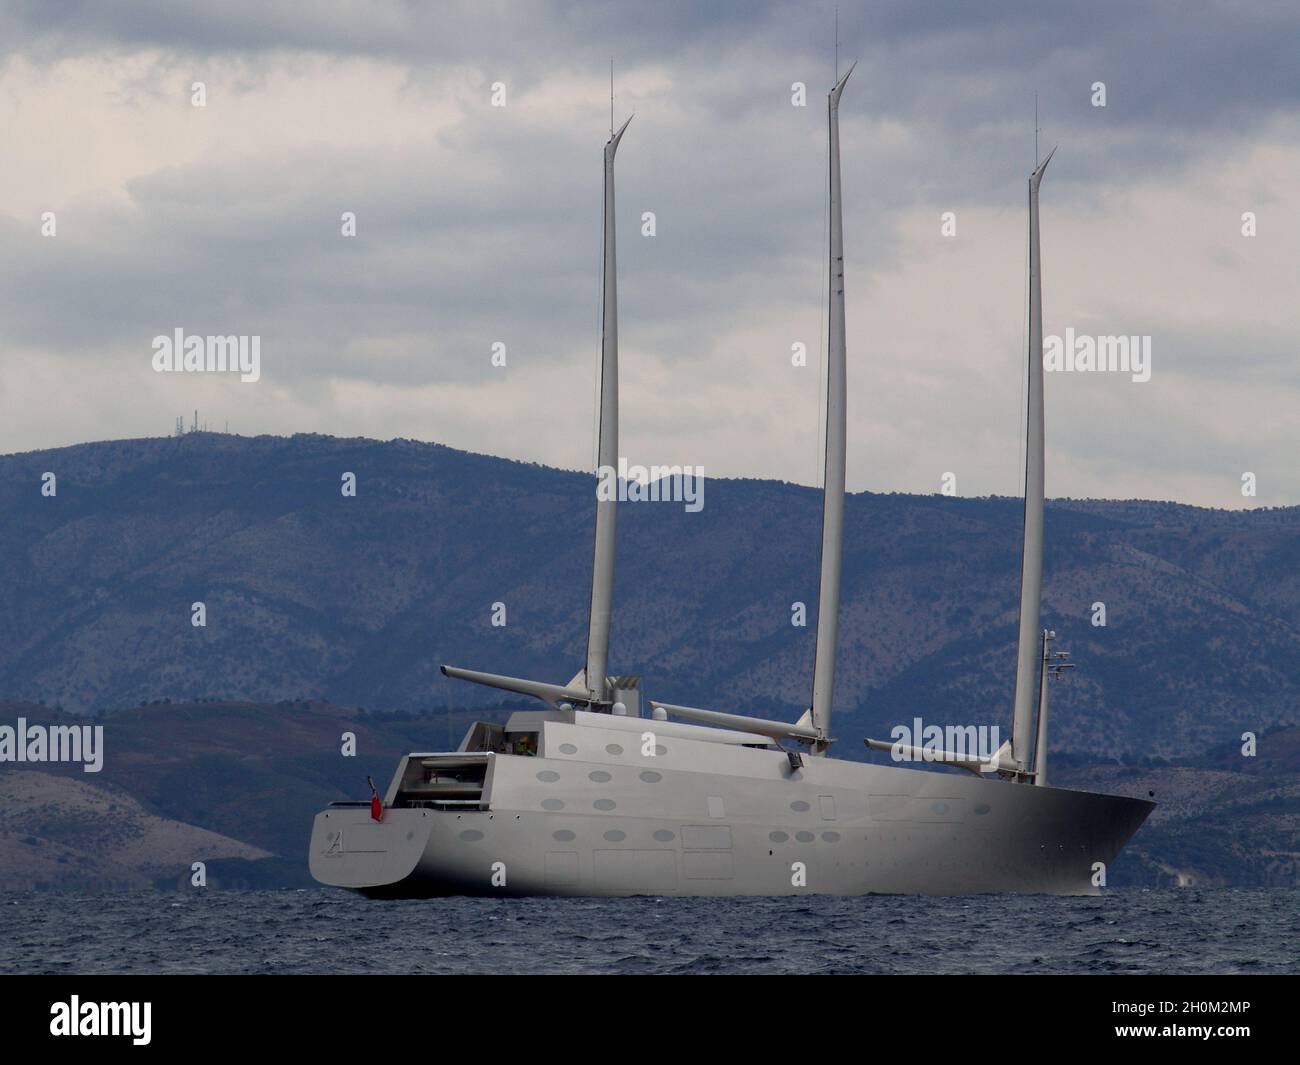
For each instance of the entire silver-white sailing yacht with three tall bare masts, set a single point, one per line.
(588, 796)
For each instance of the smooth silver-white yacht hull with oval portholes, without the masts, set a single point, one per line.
(738, 828)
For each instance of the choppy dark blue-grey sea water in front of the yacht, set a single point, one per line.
(327, 932)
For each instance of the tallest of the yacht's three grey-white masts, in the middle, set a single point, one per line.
(833, 501)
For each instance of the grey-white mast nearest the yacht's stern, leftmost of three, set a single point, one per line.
(608, 452)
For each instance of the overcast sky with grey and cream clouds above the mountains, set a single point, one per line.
(480, 224)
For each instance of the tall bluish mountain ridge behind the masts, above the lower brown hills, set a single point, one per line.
(310, 594)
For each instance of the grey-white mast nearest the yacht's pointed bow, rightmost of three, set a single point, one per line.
(1029, 657)
